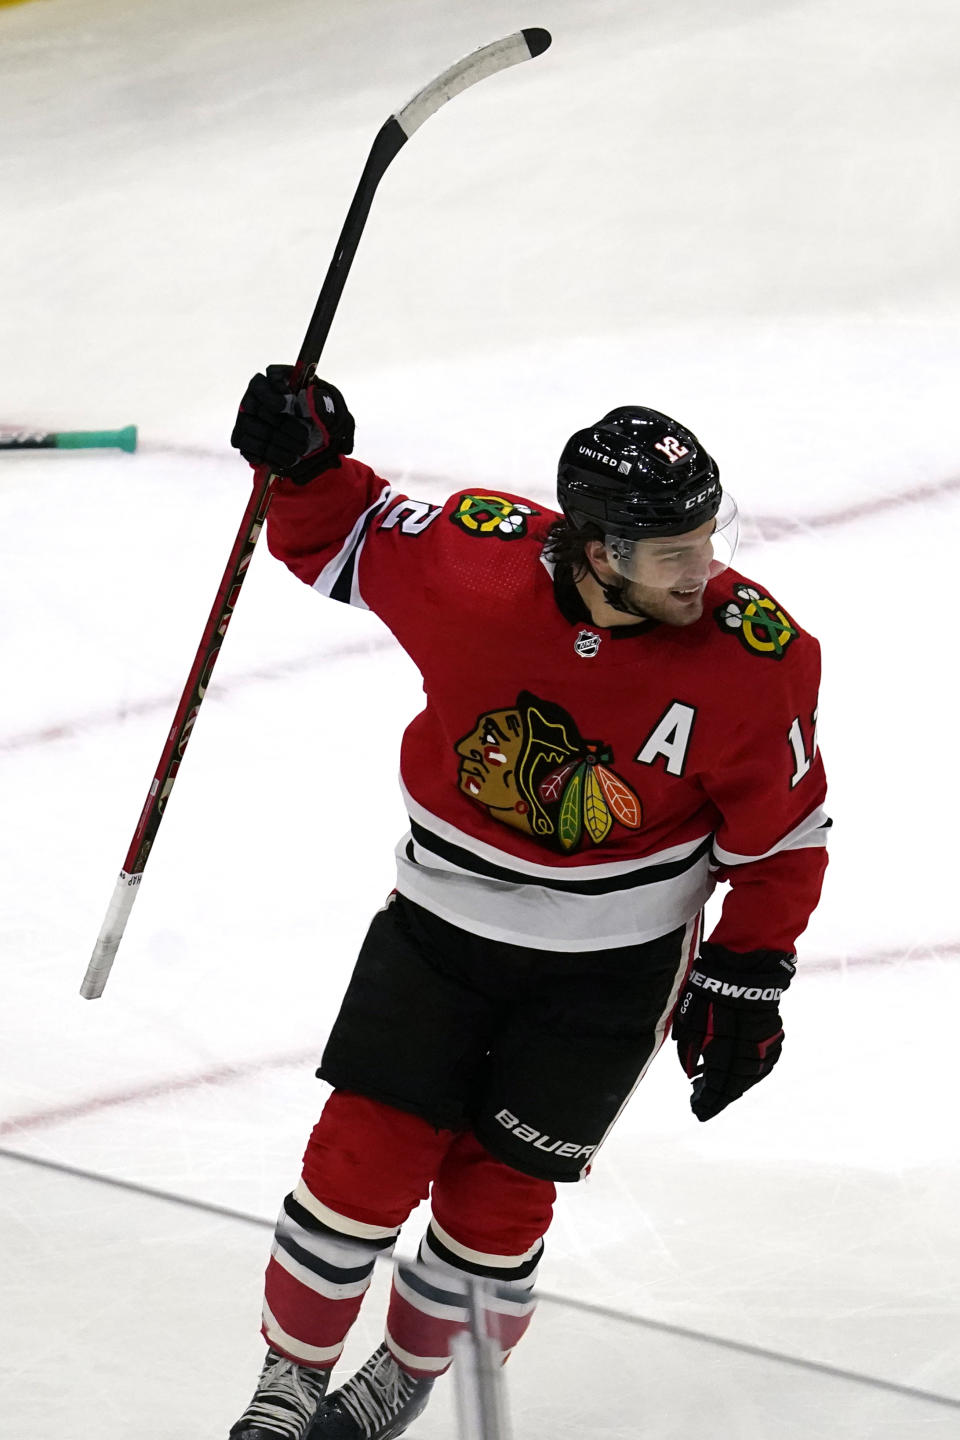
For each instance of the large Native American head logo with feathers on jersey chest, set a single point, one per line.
(532, 770)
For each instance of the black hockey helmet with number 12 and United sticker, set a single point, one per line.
(637, 474)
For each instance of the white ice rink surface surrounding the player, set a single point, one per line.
(742, 212)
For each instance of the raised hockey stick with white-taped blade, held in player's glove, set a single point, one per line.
(389, 142)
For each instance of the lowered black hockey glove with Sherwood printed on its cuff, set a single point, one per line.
(728, 1025)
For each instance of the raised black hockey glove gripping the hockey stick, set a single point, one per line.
(296, 434)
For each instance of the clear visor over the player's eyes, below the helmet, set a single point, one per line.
(683, 562)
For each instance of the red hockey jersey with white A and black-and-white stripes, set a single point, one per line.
(572, 787)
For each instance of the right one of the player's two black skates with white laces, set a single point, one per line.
(378, 1403)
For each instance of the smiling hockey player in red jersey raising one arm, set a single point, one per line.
(615, 721)
